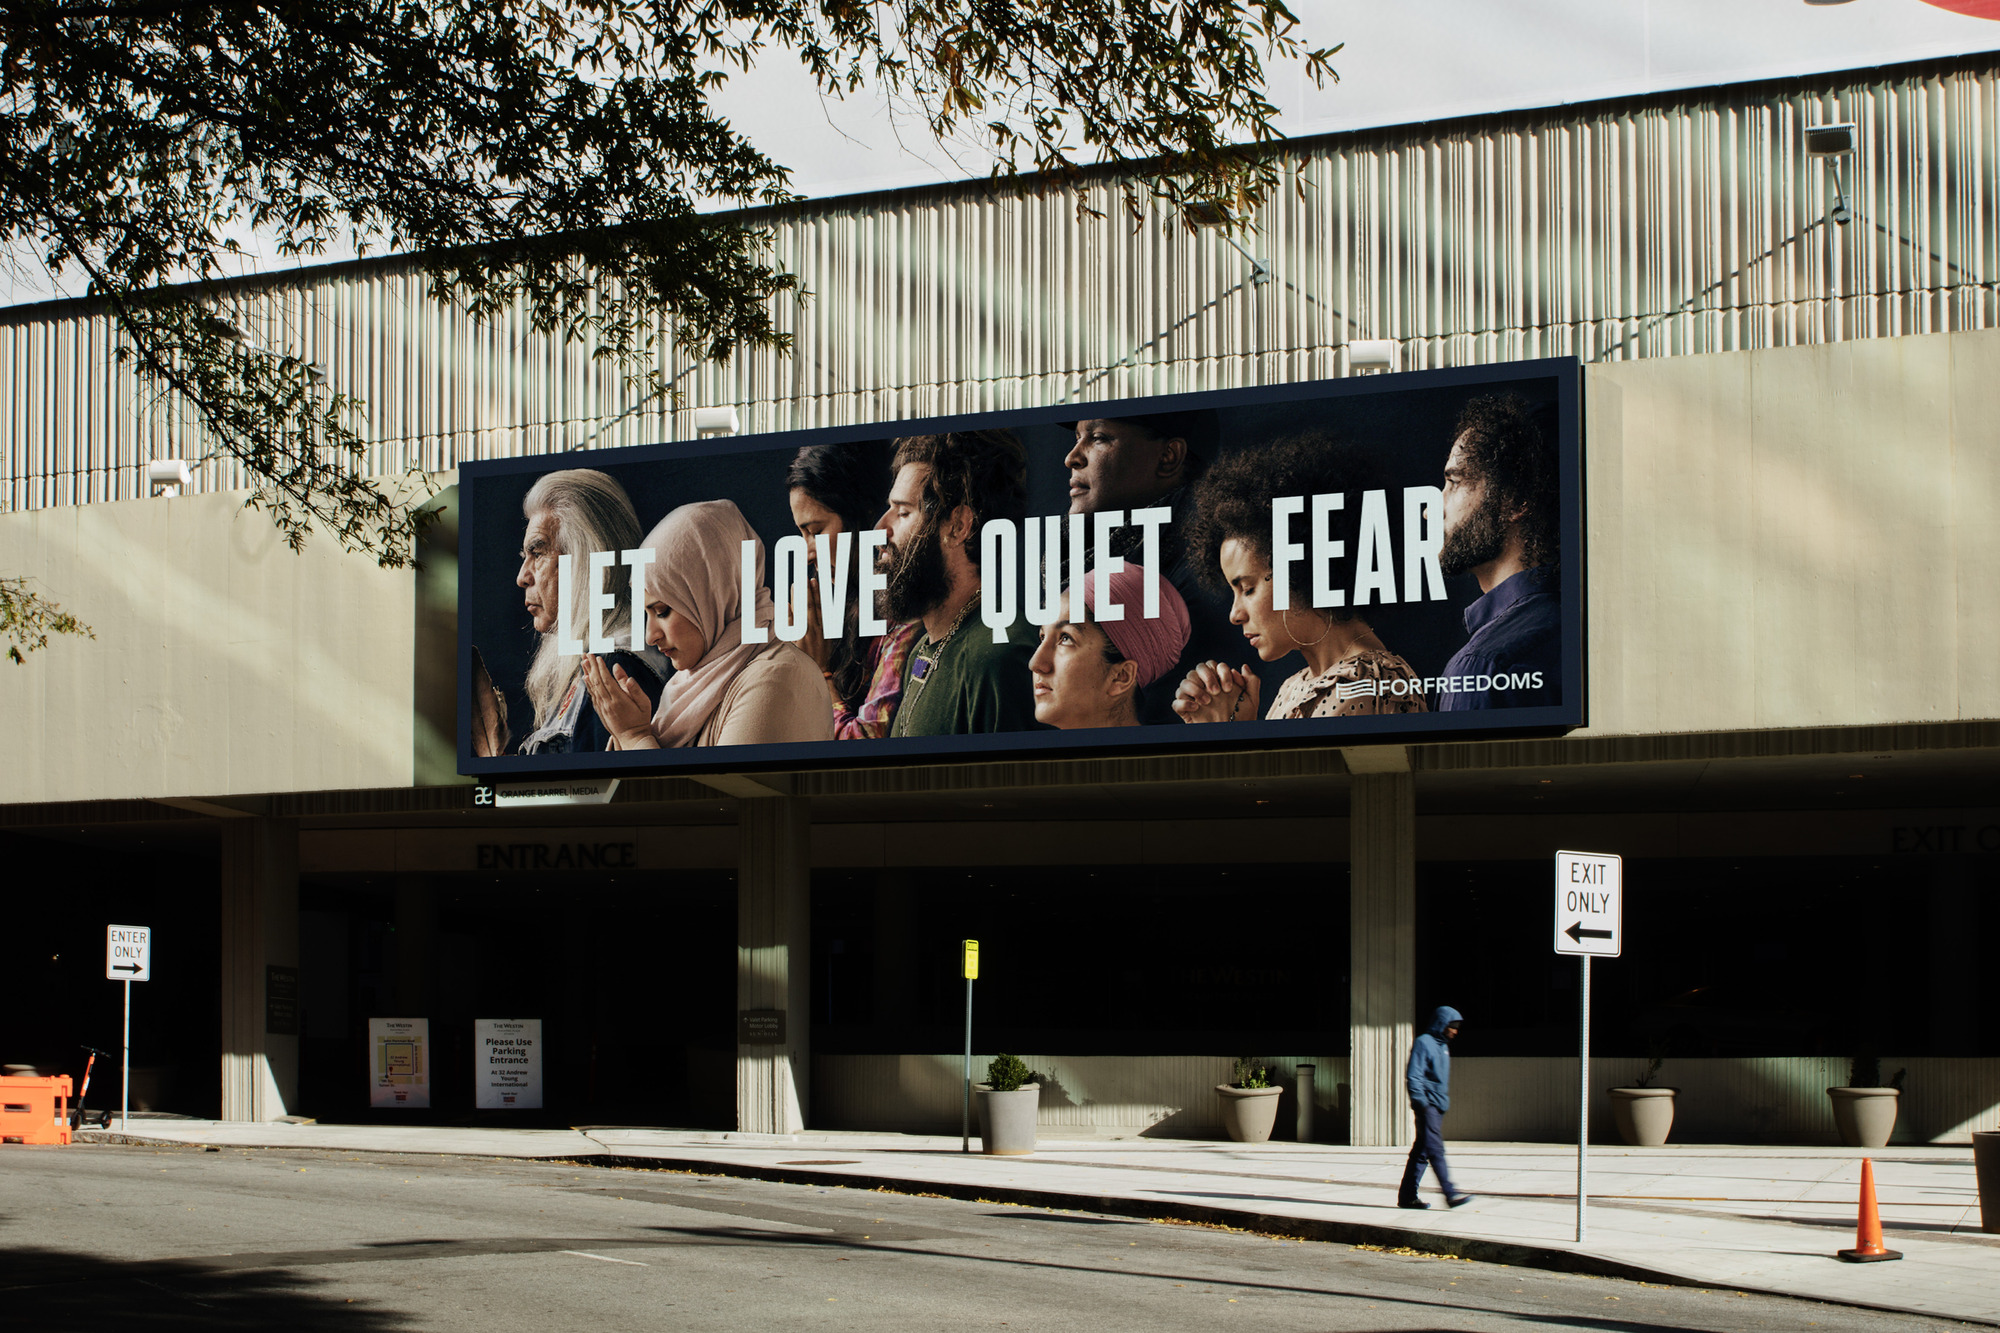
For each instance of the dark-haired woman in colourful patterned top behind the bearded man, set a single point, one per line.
(839, 489)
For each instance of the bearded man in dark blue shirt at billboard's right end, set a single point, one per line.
(1501, 525)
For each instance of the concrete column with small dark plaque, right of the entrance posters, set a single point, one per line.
(775, 960)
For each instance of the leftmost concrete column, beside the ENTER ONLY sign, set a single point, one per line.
(259, 932)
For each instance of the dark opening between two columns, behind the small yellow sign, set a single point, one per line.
(1199, 960)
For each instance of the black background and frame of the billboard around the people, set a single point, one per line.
(1403, 421)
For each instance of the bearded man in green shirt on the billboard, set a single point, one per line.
(957, 680)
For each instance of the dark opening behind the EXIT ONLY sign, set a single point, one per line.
(1757, 956)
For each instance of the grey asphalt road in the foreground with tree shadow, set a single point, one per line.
(137, 1240)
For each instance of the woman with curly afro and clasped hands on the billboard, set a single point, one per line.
(1231, 545)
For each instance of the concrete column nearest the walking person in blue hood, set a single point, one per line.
(1383, 942)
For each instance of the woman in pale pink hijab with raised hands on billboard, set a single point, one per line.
(723, 690)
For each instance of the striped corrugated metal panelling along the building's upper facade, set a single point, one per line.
(1643, 229)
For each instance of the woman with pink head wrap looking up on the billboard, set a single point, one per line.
(1089, 674)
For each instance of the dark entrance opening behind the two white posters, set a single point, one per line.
(633, 978)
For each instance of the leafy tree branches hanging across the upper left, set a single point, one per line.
(557, 159)
